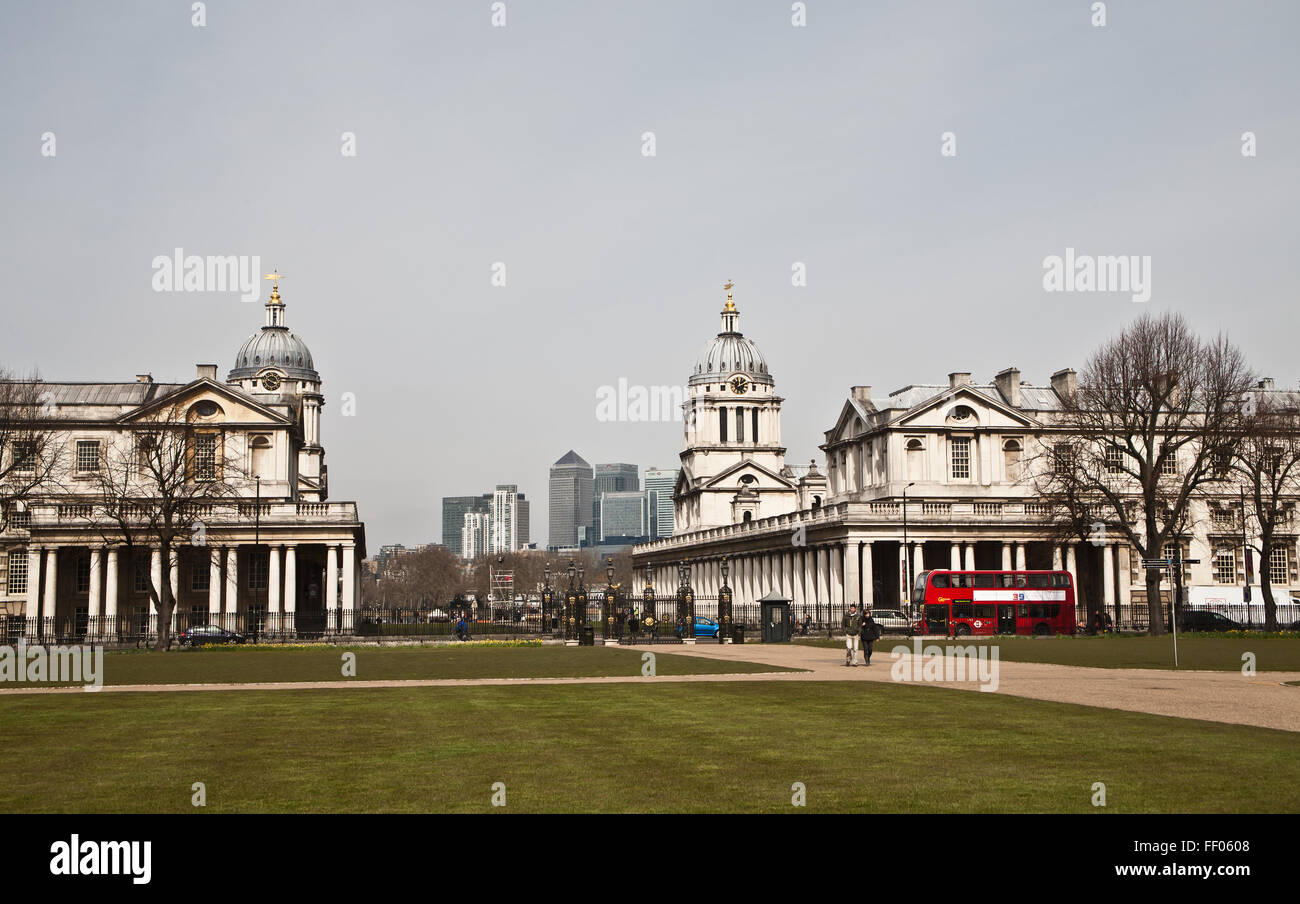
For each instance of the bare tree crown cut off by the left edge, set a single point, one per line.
(29, 457)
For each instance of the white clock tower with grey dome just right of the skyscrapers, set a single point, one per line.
(734, 460)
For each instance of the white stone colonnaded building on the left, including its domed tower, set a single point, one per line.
(272, 553)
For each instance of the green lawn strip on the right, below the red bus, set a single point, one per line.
(1124, 652)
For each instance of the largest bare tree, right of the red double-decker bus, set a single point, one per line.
(1138, 438)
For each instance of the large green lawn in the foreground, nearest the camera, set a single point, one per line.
(733, 747)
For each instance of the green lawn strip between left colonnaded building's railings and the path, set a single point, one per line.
(435, 661)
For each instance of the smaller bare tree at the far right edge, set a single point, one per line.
(1267, 460)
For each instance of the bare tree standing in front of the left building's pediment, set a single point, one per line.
(157, 490)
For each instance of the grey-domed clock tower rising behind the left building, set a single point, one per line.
(276, 367)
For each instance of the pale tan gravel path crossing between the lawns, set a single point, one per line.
(1216, 697)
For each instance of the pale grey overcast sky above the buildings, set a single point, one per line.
(774, 145)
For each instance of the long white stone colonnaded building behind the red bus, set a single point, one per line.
(960, 456)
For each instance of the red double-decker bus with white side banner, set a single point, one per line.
(989, 603)
